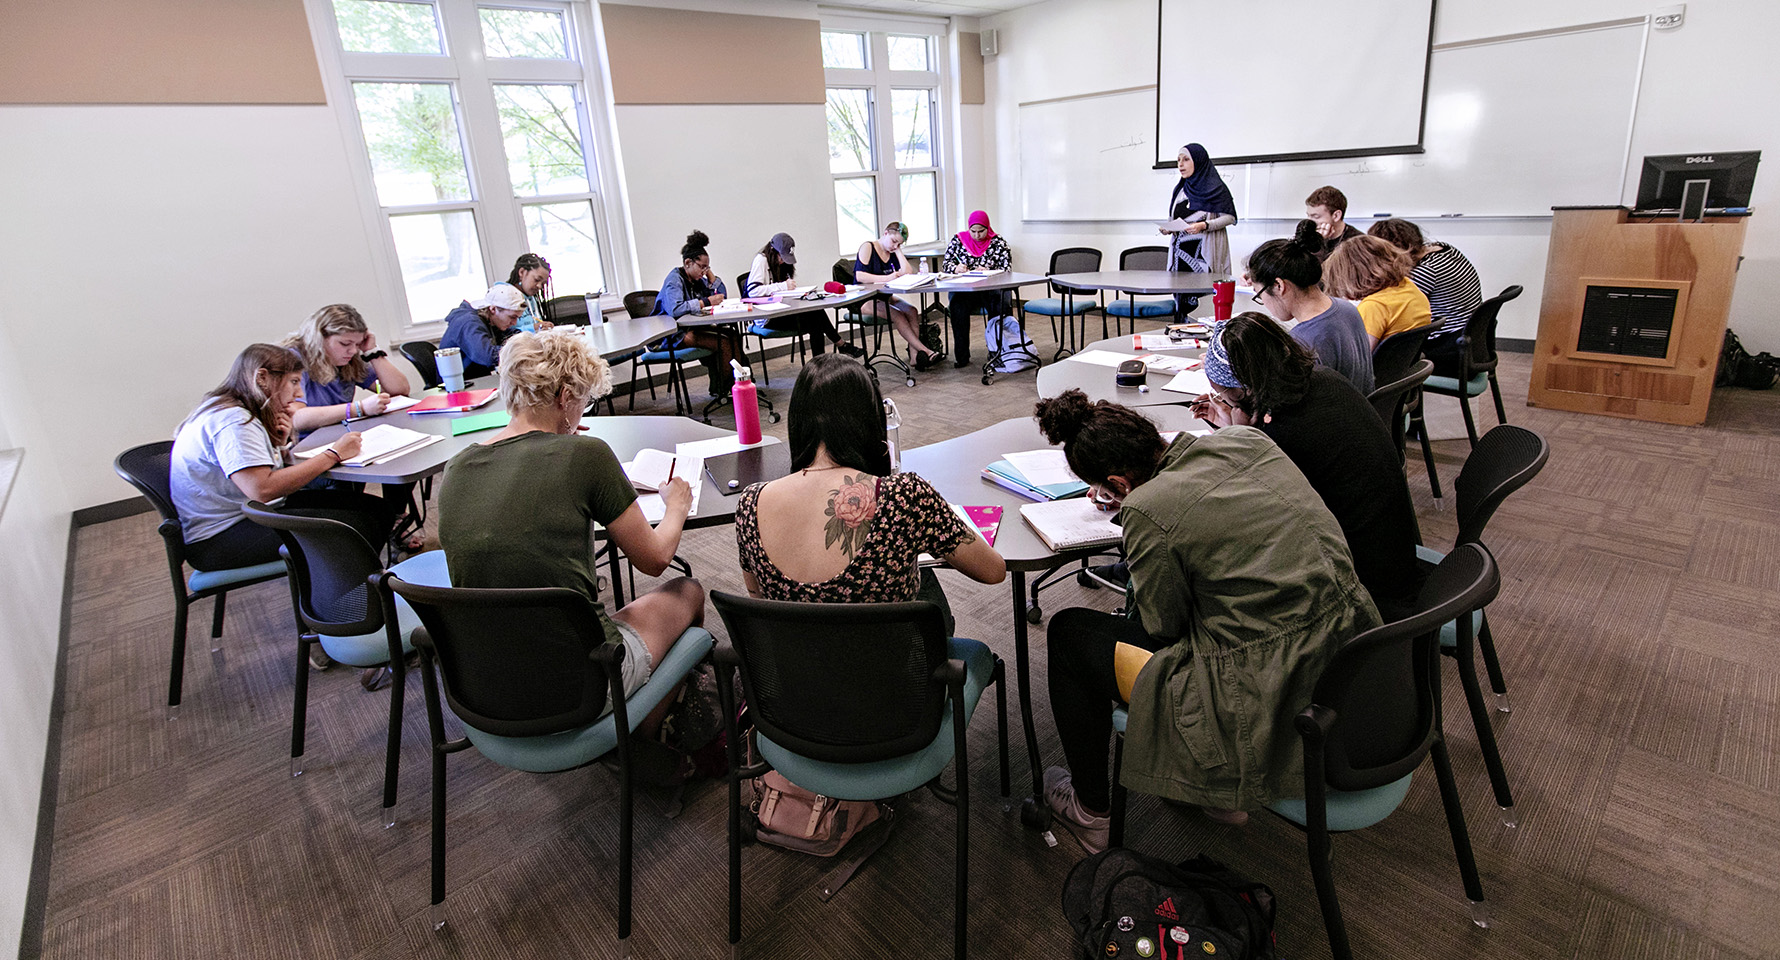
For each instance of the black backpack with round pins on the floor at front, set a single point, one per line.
(1131, 907)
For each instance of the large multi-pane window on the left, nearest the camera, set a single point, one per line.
(480, 152)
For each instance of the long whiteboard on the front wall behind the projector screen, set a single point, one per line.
(1514, 127)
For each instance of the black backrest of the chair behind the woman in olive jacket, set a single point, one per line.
(1382, 687)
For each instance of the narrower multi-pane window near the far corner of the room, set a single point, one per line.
(884, 142)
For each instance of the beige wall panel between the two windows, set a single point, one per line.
(663, 56)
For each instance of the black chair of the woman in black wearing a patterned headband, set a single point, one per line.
(1503, 462)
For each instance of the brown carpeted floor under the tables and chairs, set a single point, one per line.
(1637, 626)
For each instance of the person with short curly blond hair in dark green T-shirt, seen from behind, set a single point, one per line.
(494, 541)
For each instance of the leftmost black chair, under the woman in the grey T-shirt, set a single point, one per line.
(149, 471)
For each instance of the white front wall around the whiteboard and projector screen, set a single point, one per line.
(1695, 86)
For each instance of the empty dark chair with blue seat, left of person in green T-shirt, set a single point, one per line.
(332, 573)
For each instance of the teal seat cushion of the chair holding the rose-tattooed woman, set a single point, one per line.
(898, 776)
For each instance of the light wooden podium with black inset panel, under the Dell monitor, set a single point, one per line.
(1635, 314)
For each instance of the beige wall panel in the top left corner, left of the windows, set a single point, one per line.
(158, 53)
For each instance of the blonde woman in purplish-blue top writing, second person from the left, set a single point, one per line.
(339, 359)
